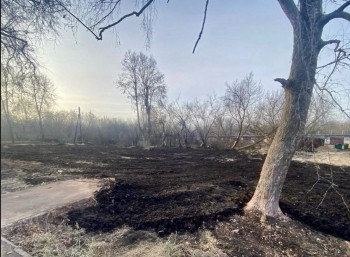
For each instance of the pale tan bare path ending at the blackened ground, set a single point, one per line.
(29, 202)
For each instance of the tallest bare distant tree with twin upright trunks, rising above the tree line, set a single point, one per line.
(142, 82)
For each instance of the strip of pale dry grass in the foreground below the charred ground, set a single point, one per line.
(45, 240)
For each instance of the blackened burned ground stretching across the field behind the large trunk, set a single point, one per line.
(168, 190)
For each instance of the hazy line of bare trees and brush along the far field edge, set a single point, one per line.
(244, 116)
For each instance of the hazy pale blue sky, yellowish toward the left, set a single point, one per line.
(239, 37)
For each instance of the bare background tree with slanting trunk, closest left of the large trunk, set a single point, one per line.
(240, 99)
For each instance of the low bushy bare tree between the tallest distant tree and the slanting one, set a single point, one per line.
(203, 115)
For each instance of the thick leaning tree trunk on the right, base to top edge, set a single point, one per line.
(298, 92)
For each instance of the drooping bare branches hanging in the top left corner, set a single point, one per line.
(25, 23)
